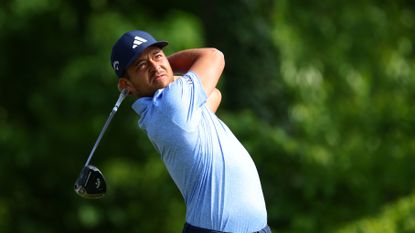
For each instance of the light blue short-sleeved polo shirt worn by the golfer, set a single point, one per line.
(213, 171)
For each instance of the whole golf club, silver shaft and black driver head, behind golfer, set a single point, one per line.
(91, 182)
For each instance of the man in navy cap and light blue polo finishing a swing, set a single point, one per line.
(213, 171)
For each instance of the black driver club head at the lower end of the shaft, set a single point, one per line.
(90, 183)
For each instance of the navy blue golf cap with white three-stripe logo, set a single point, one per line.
(129, 47)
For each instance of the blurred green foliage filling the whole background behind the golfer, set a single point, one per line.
(321, 93)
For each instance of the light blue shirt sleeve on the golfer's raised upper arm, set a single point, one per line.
(184, 100)
